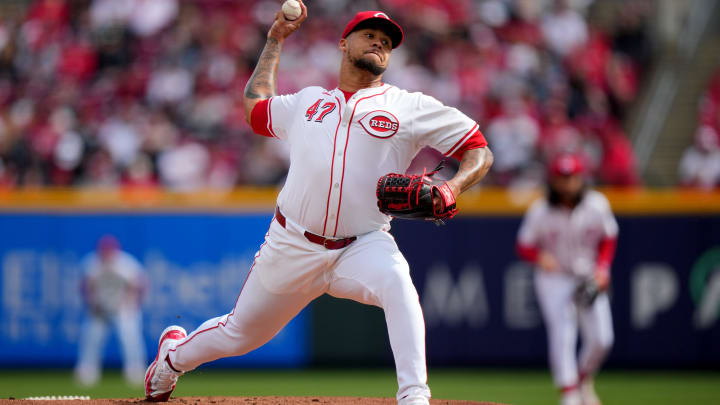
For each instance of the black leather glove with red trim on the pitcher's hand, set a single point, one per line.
(411, 197)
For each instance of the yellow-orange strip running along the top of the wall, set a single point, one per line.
(489, 201)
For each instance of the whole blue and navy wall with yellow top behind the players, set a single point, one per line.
(477, 297)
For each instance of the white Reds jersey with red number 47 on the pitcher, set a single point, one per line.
(339, 150)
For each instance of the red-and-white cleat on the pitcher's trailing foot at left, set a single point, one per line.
(160, 377)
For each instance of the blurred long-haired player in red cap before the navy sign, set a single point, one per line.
(571, 236)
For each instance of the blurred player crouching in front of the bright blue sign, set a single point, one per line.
(112, 286)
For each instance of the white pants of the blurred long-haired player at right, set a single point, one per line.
(562, 317)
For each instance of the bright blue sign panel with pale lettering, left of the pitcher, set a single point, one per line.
(195, 264)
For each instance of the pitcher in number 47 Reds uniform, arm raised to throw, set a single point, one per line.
(328, 235)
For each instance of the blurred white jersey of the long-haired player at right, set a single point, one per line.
(572, 236)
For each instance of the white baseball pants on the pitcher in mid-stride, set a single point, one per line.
(289, 272)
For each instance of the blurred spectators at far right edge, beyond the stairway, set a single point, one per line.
(700, 164)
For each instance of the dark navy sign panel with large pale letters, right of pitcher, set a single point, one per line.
(480, 307)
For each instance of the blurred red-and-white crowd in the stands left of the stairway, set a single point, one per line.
(148, 93)
